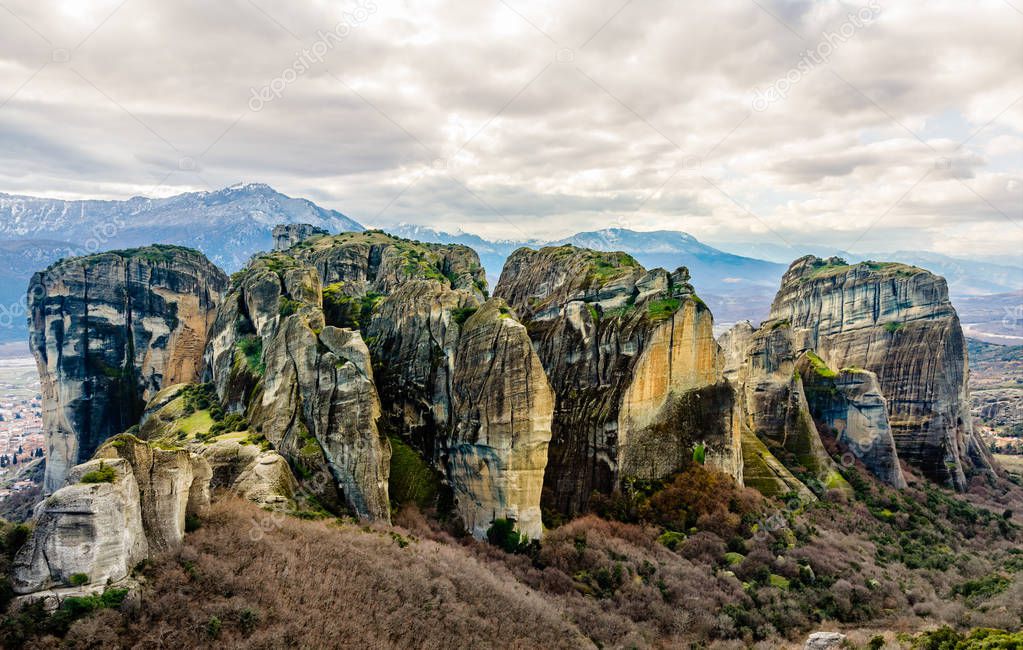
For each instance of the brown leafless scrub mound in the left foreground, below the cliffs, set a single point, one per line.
(318, 585)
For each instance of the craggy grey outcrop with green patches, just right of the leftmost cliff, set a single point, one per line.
(305, 386)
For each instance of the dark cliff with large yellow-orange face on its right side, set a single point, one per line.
(632, 359)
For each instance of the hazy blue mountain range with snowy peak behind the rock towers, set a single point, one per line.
(229, 226)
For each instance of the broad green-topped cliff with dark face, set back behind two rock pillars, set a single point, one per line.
(403, 295)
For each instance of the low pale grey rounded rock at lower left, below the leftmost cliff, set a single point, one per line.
(86, 533)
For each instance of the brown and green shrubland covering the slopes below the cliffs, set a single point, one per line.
(692, 561)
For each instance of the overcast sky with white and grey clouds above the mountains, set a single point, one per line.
(515, 118)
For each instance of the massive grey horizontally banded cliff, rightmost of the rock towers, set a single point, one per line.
(896, 321)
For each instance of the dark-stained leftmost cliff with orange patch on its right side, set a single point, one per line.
(108, 332)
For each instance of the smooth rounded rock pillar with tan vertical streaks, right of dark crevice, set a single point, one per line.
(503, 408)
